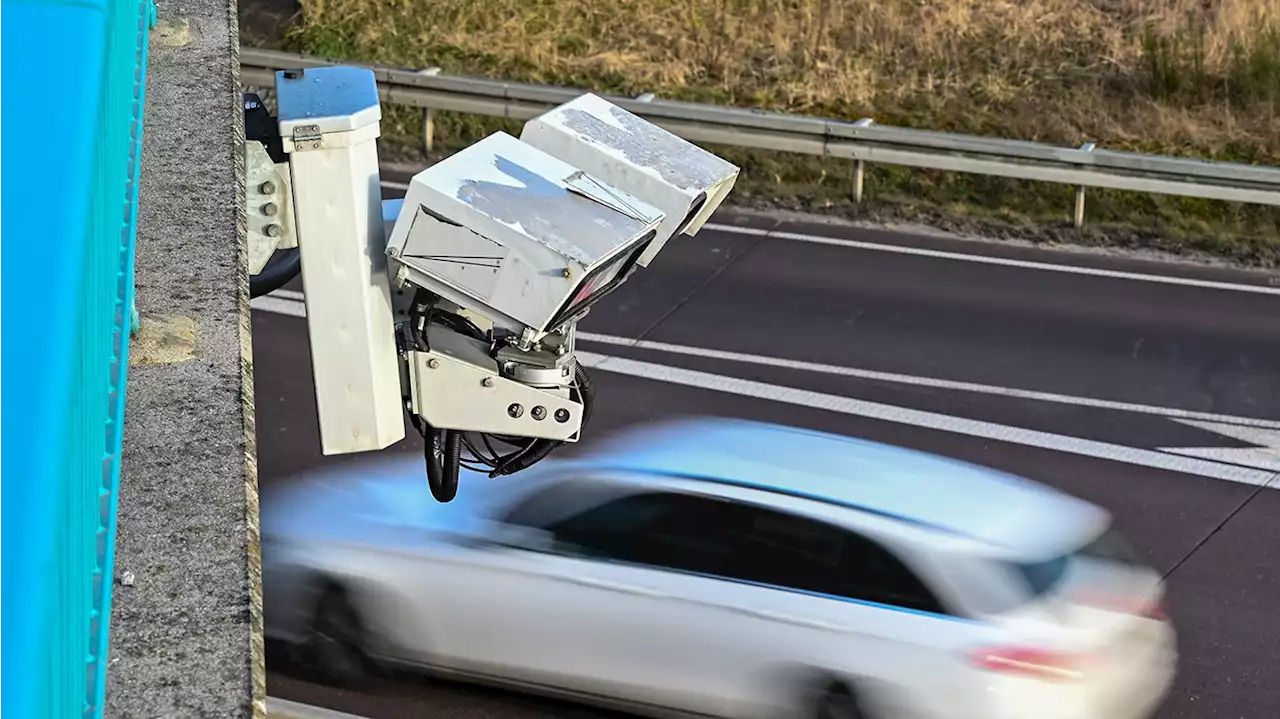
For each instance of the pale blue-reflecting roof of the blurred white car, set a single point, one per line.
(904, 484)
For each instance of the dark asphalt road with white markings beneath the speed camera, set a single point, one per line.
(1077, 378)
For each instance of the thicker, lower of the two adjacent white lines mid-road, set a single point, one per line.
(892, 414)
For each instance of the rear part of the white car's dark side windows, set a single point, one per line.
(806, 555)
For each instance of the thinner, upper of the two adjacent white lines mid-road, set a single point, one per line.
(271, 305)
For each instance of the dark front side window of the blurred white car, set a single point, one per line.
(657, 529)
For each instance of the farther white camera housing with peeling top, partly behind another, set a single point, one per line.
(675, 176)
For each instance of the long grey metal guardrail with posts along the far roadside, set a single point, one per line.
(861, 141)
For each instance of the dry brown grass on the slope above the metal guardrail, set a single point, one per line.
(1191, 77)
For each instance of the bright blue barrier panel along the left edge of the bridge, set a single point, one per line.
(72, 99)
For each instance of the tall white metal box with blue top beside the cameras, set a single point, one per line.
(330, 120)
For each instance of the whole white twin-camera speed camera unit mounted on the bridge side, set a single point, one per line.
(460, 304)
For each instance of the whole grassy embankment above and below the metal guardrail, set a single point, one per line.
(1185, 77)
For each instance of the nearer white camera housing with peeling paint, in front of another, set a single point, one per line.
(515, 235)
